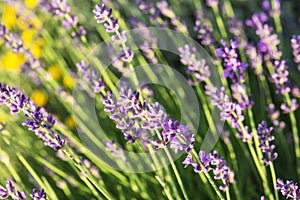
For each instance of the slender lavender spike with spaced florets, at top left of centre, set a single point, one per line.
(103, 15)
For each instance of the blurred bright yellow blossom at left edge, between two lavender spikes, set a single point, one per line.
(12, 61)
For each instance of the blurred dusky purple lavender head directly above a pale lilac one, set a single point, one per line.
(204, 30)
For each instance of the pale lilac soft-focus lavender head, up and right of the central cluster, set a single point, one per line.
(197, 68)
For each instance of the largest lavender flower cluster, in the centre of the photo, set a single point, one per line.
(141, 120)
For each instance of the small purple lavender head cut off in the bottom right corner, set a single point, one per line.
(289, 189)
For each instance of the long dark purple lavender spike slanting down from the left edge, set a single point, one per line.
(38, 120)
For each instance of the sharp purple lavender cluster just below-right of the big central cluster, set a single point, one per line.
(211, 161)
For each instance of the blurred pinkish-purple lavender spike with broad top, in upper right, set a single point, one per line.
(268, 44)
